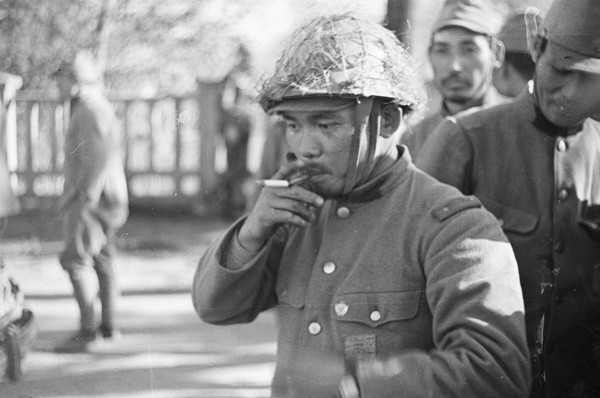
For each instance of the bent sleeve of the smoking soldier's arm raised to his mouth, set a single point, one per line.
(225, 296)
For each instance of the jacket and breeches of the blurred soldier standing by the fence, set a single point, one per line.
(95, 199)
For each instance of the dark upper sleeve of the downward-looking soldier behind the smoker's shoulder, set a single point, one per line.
(447, 156)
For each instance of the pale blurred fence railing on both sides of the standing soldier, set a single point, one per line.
(169, 147)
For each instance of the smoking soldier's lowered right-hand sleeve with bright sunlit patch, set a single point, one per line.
(474, 295)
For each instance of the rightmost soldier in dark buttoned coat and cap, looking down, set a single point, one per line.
(535, 163)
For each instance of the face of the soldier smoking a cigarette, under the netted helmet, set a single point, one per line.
(321, 140)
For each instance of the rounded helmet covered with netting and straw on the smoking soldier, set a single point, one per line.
(343, 56)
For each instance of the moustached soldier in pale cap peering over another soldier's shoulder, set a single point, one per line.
(464, 51)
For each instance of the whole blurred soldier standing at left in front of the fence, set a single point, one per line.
(94, 201)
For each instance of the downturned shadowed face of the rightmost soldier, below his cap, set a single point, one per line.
(566, 97)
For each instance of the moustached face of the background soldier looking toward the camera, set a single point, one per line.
(462, 63)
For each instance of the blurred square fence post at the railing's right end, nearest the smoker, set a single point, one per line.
(209, 120)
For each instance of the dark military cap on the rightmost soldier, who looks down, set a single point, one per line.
(573, 27)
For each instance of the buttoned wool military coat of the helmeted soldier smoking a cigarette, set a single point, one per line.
(405, 275)
